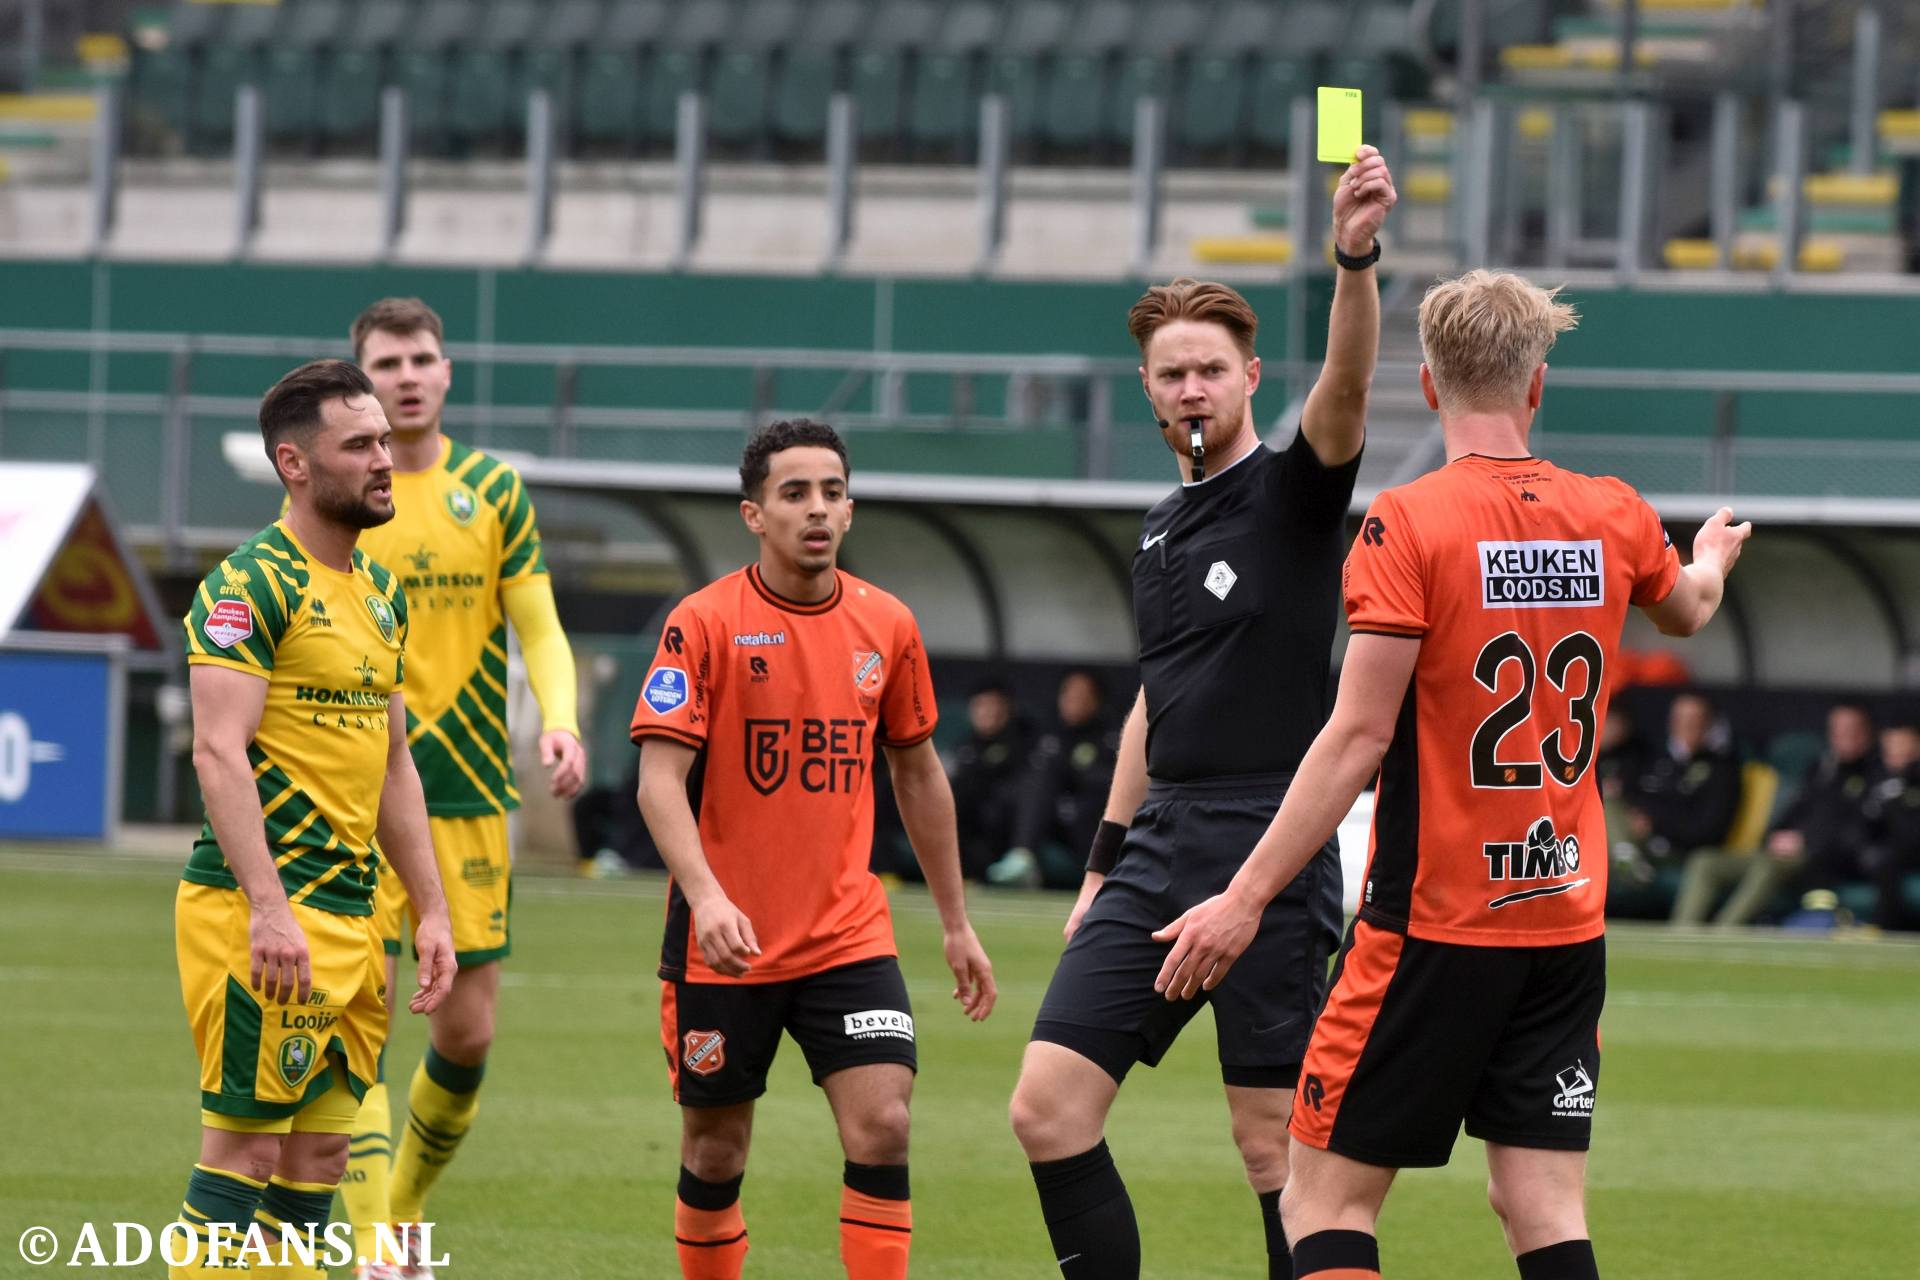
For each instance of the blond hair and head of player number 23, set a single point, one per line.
(1483, 337)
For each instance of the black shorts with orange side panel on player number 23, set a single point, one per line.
(1420, 1037)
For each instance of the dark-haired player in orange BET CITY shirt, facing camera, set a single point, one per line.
(788, 676)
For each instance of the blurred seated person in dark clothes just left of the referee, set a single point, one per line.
(1063, 795)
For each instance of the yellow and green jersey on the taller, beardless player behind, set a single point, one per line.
(464, 529)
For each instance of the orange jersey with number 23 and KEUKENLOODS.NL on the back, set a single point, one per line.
(1518, 577)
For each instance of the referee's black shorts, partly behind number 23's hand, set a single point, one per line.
(1184, 847)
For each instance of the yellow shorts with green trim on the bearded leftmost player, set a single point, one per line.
(266, 1064)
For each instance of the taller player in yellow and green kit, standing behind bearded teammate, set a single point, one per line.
(468, 552)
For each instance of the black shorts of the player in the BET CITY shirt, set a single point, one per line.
(721, 1037)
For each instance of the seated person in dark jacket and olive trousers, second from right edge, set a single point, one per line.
(1815, 841)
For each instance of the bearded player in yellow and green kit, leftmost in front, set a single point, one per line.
(297, 653)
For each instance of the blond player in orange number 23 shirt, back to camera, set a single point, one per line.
(1487, 604)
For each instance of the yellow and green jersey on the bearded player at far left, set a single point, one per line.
(331, 650)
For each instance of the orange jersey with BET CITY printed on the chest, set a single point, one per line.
(788, 701)
